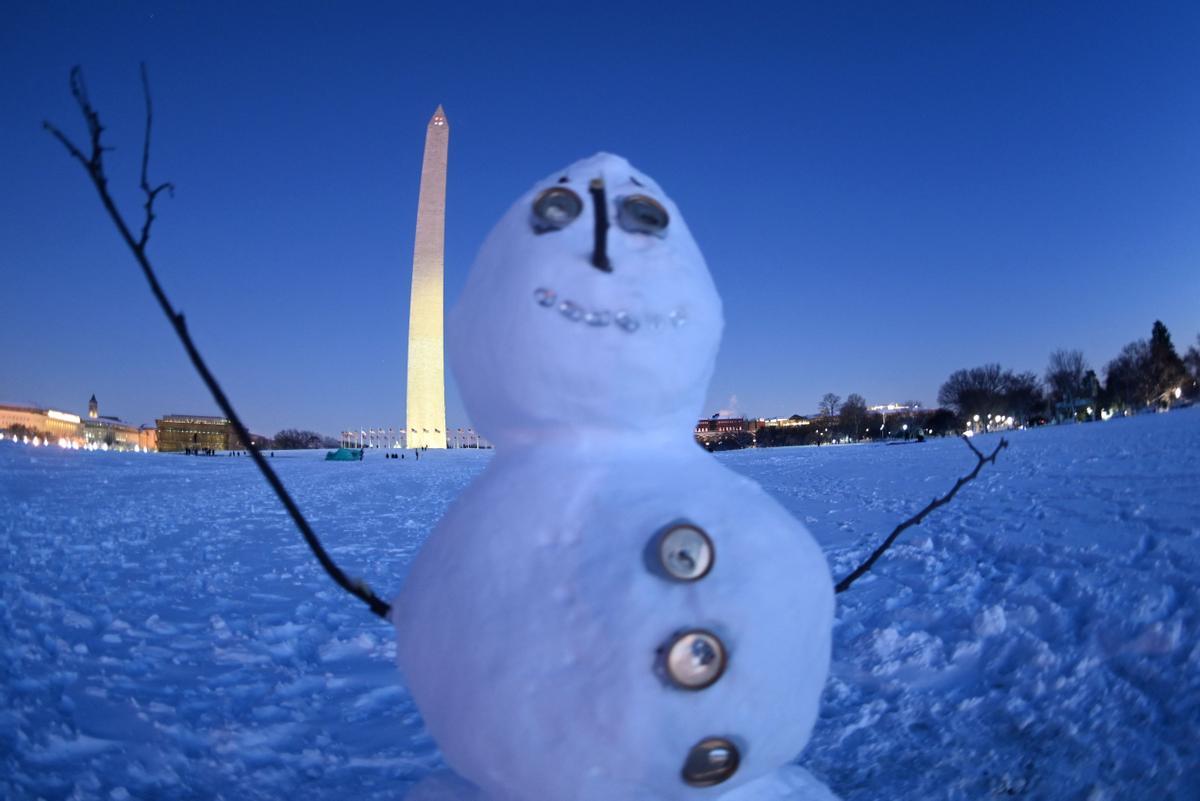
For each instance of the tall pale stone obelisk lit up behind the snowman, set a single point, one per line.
(427, 364)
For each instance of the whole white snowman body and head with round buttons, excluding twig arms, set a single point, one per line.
(608, 613)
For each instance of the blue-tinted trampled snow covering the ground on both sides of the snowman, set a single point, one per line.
(166, 634)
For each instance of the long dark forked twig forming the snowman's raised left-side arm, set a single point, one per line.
(94, 165)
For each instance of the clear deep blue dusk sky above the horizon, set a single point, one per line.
(884, 195)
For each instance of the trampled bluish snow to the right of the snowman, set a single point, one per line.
(1036, 639)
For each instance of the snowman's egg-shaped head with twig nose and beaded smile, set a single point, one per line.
(590, 310)
